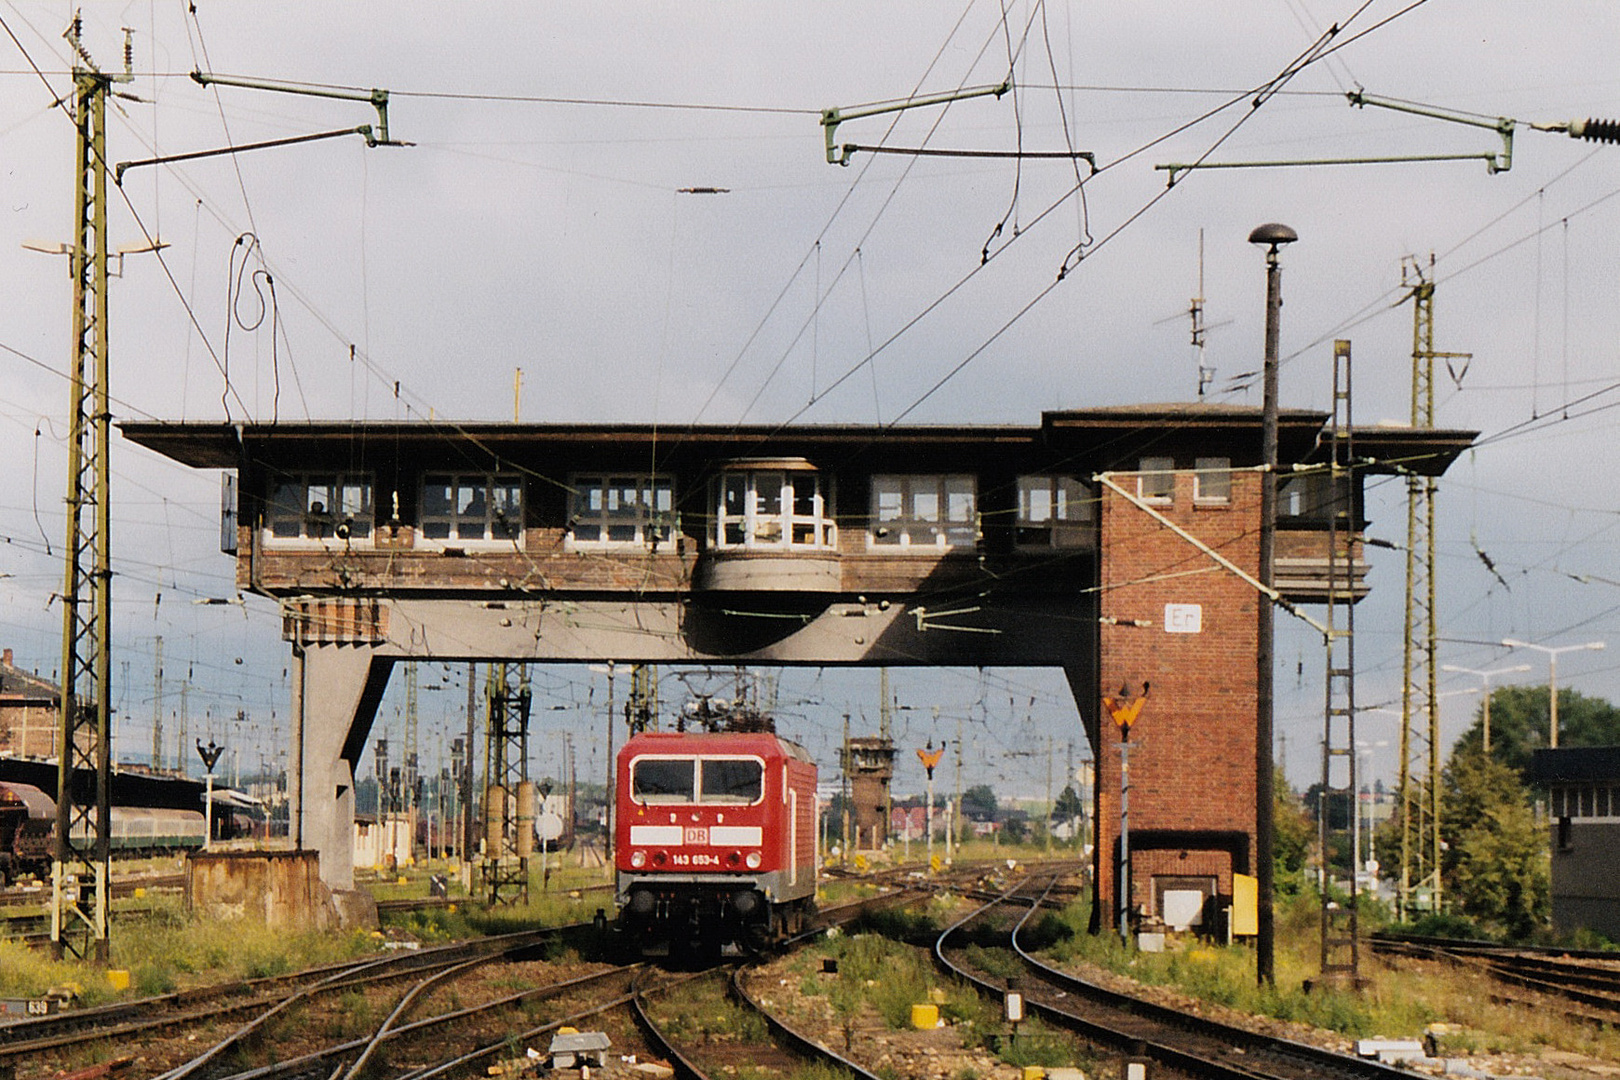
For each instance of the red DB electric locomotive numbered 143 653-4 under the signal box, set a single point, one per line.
(714, 840)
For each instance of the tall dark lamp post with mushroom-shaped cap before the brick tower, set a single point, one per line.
(1273, 237)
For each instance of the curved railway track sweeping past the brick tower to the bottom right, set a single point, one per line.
(1187, 1045)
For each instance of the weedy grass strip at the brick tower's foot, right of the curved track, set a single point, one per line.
(1400, 1001)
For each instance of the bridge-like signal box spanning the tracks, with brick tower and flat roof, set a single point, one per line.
(1112, 543)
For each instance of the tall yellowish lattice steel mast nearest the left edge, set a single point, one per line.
(82, 874)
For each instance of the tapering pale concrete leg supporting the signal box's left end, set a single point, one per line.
(336, 692)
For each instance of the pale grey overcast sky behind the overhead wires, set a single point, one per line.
(544, 221)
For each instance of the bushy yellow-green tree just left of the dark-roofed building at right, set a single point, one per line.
(1496, 861)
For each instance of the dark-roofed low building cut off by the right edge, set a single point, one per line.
(1584, 802)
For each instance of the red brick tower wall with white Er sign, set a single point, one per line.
(1193, 746)
